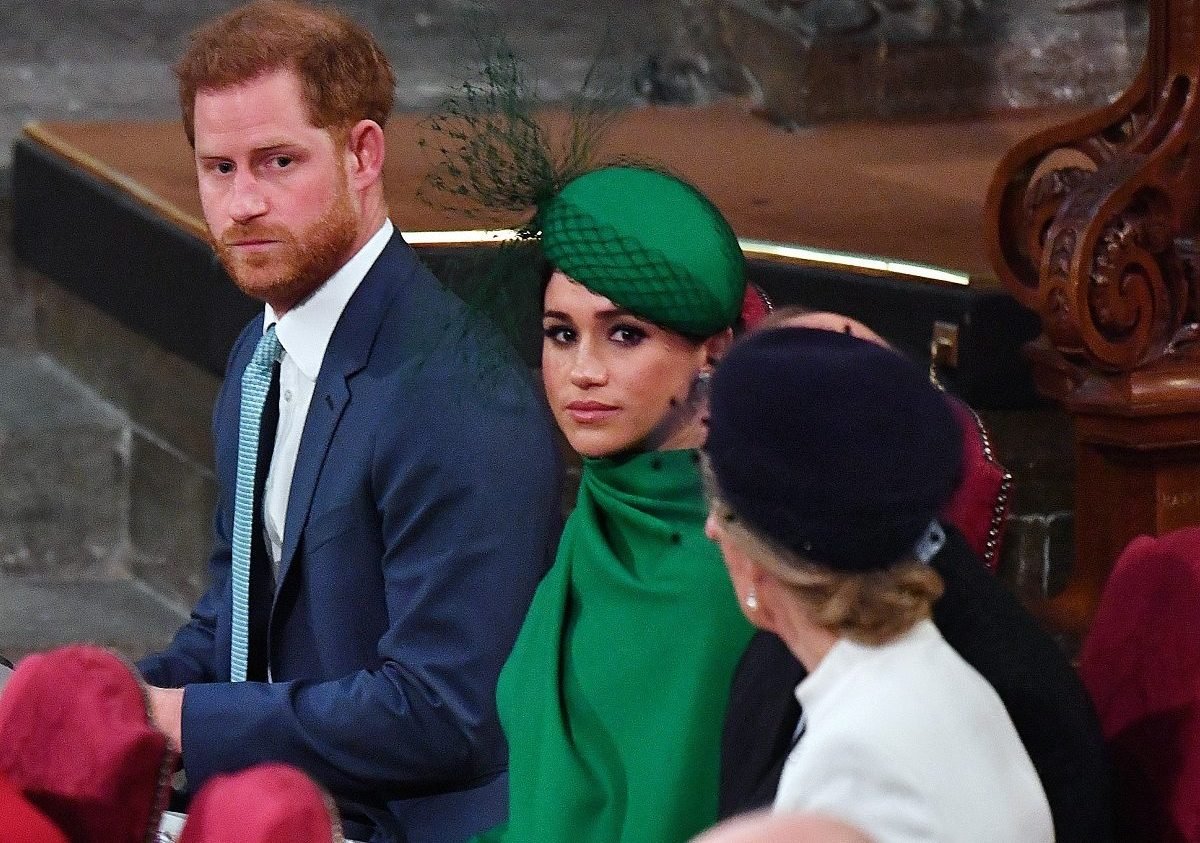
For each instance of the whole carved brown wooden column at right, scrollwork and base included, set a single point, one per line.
(1094, 225)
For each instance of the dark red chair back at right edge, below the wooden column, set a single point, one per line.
(1142, 666)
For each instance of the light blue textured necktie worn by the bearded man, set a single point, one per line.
(256, 382)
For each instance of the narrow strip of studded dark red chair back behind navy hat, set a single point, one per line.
(981, 503)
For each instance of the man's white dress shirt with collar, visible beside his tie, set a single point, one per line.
(305, 332)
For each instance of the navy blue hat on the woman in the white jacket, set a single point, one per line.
(836, 449)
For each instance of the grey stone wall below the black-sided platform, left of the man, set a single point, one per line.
(105, 457)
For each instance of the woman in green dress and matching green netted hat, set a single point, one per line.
(614, 697)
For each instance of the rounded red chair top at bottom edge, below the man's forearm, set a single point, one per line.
(267, 804)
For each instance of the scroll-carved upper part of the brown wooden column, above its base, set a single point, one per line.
(1091, 224)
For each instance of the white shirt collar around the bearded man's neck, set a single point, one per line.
(305, 331)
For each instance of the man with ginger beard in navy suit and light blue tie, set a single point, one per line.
(373, 566)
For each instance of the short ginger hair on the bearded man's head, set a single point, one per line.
(344, 74)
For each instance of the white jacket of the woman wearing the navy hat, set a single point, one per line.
(910, 744)
